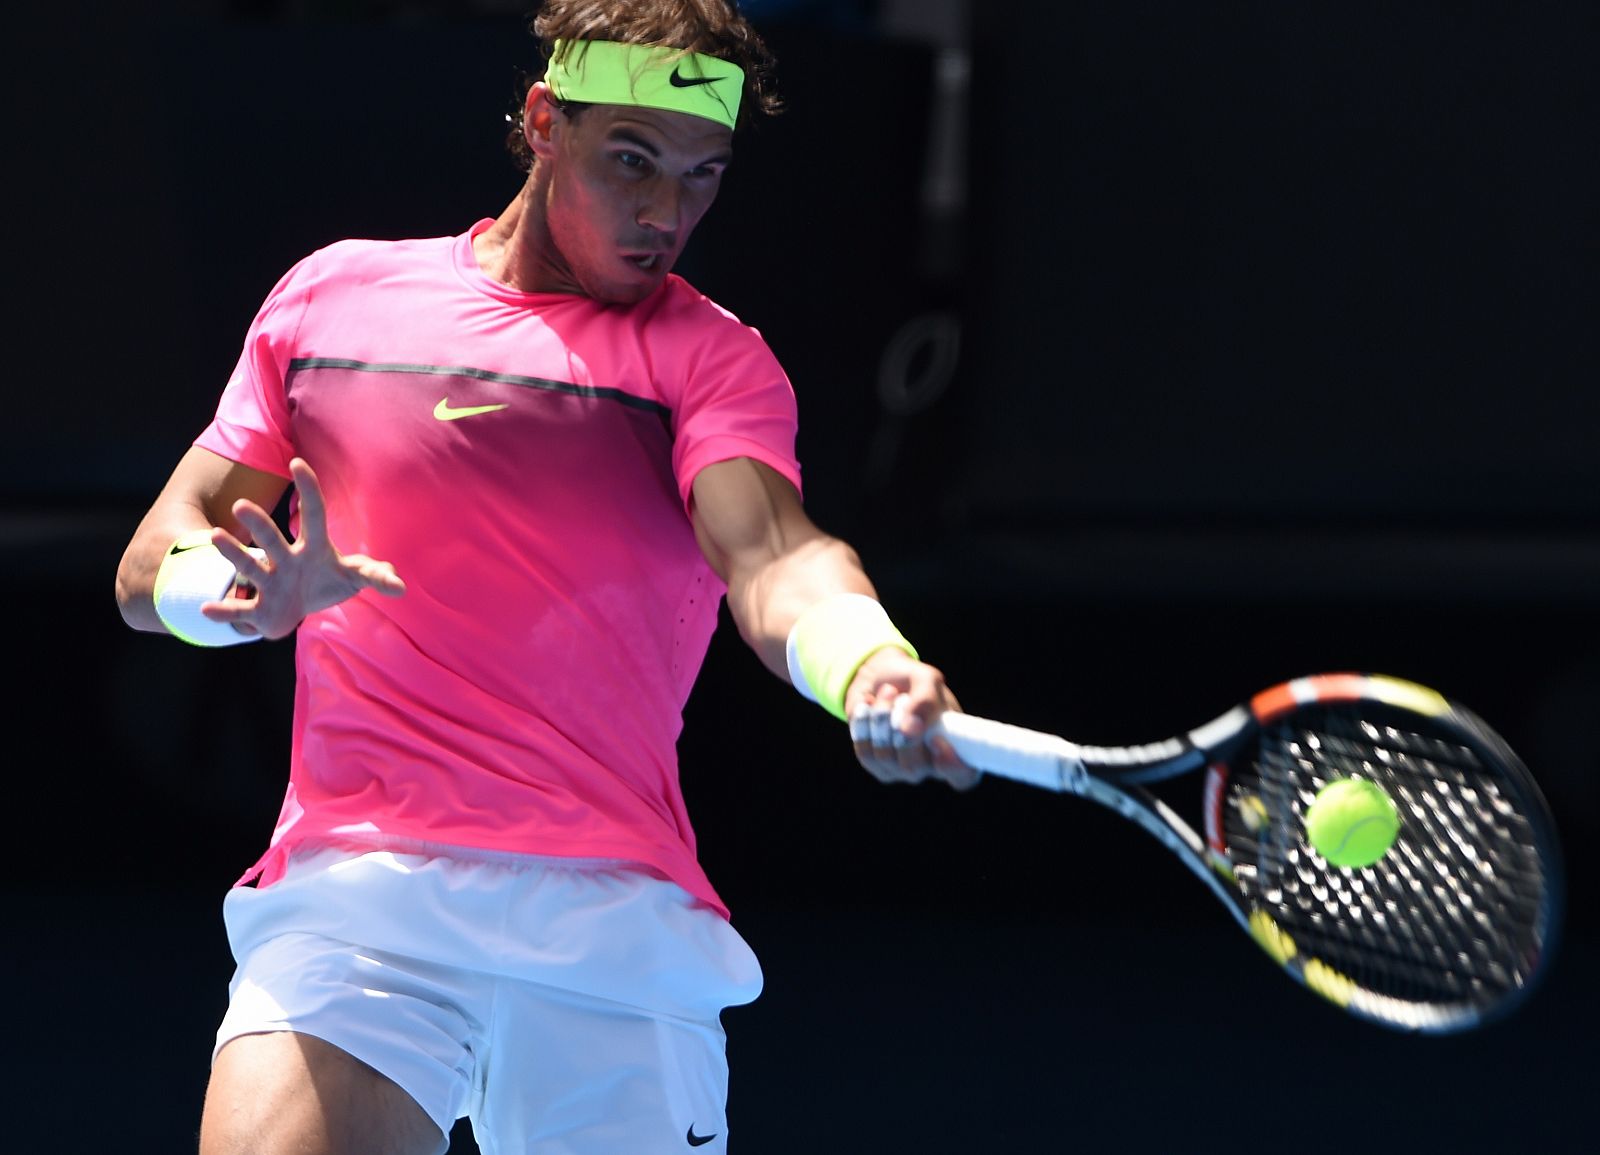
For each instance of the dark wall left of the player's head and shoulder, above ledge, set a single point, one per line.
(177, 167)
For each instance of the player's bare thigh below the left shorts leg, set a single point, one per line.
(284, 1092)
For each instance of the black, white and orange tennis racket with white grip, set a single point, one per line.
(1454, 927)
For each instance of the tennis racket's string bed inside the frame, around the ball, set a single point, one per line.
(1452, 914)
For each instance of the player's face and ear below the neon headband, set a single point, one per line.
(622, 191)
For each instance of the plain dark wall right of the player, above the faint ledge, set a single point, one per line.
(1329, 263)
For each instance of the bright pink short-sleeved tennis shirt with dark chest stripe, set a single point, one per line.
(526, 463)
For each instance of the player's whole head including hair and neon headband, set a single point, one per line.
(630, 132)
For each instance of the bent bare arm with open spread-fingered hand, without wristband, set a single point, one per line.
(290, 580)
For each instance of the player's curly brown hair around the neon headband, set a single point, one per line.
(716, 28)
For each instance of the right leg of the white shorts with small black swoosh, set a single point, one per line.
(590, 1077)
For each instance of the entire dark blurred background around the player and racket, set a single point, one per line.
(1150, 354)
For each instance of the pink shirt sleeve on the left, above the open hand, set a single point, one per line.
(252, 423)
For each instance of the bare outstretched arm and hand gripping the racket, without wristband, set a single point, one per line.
(777, 562)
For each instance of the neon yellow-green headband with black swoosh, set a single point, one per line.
(646, 76)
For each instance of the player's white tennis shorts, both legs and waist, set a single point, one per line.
(562, 1005)
